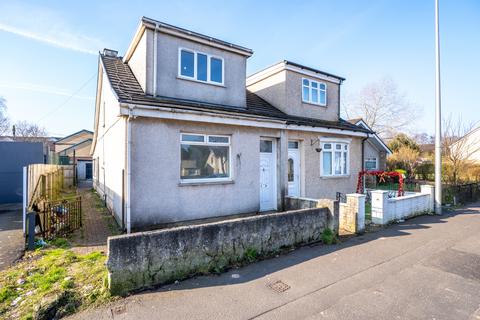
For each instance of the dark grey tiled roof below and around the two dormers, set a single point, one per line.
(129, 90)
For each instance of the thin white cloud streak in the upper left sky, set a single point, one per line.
(45, 26)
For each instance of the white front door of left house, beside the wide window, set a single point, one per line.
(268, 169)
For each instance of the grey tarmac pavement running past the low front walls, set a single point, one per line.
(424, 268)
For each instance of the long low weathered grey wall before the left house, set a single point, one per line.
(144, 259)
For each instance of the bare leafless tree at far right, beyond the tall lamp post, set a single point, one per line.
(458, 148)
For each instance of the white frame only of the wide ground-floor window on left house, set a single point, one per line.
(206, 142)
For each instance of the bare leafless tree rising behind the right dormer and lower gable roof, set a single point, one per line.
(382, 107)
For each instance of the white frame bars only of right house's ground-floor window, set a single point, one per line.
(343, 157)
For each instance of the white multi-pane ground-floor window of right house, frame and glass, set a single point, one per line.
(334, 158)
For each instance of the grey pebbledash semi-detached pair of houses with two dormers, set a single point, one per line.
(181, 133)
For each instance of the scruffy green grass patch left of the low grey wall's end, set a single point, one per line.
(53, 279)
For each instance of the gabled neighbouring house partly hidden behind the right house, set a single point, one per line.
(375, 150)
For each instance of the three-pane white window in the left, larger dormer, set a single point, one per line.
(199, 66)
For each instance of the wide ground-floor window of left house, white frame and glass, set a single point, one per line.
(204, 158)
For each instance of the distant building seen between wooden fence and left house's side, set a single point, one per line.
(74, 149)
